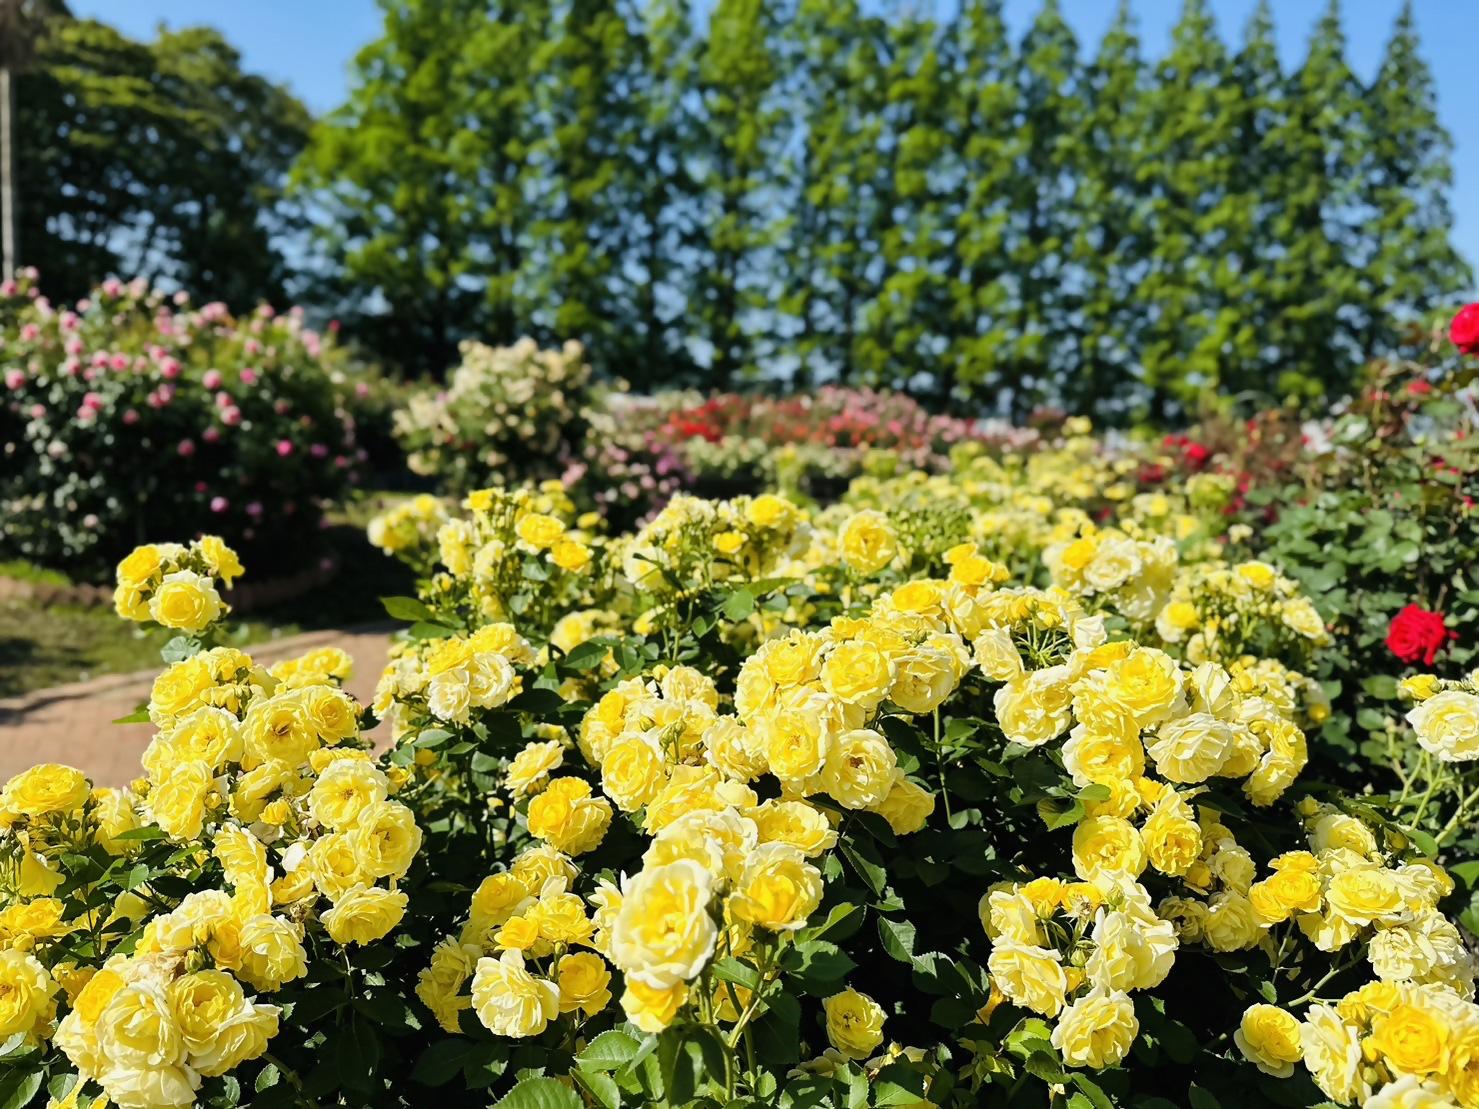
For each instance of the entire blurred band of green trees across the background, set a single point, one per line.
(764, 191)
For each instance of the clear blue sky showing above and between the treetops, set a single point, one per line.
(308, 45)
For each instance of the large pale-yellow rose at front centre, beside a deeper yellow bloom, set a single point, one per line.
(663, 934)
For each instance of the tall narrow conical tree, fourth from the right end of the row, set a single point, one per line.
(1188, 292)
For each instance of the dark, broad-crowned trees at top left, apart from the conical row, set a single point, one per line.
(159, 159)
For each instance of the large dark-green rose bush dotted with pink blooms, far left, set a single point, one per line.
(135, 410)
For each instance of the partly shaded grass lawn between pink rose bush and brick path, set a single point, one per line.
(45, 647)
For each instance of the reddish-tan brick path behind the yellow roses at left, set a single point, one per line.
(73, 724)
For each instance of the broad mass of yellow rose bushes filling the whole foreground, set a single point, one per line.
(983, 787)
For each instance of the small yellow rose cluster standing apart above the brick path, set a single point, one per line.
(177, 586)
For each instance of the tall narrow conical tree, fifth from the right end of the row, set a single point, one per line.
(1110, 242)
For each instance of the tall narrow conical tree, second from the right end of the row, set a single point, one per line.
(1317, 274)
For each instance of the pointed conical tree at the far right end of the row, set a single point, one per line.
(1412, 267)
